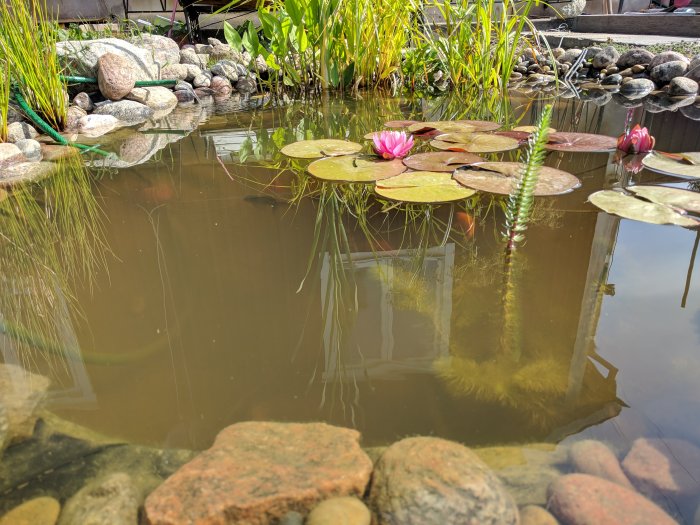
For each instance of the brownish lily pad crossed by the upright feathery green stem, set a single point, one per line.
(498, 177)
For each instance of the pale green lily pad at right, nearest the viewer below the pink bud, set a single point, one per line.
(630, 207)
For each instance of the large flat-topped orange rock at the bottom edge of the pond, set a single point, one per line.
(256, 472)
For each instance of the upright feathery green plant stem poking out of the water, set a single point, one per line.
(519, 207)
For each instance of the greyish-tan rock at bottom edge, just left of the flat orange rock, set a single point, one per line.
(112, 500)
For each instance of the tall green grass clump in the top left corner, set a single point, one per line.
(28, 39)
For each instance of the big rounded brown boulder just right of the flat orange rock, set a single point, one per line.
(462, 488)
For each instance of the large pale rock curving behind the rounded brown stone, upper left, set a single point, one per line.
(81, 56)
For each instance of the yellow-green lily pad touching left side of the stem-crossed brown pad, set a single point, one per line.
(424, 187)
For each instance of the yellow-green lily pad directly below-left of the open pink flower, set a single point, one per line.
(355, 168)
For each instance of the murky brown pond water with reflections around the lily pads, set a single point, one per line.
(212, 298)
